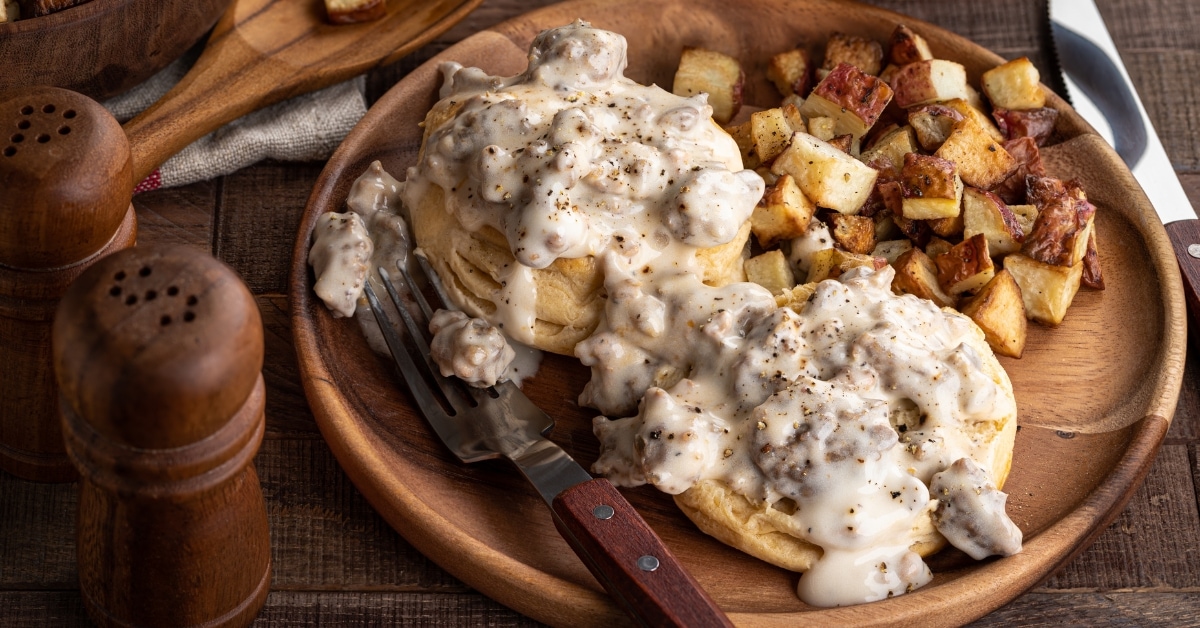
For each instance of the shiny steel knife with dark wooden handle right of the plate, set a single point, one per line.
(1101, 92)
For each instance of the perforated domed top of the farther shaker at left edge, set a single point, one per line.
(67, 177)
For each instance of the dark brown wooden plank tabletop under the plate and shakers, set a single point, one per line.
(338, 563)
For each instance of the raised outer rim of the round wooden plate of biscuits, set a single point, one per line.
(412, 517)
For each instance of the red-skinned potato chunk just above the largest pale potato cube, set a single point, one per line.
(851, 98)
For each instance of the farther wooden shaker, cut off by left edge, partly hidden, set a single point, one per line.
(65, 188)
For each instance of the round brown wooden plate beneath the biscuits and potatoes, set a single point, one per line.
(1096, 394)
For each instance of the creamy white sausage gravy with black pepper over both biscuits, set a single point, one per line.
(860, 412)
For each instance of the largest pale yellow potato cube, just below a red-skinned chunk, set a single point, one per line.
(827, 176)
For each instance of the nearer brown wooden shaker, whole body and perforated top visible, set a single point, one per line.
(159, 352)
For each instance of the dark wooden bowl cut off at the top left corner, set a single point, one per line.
(104, 47)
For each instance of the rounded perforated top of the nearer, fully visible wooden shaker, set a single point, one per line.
(158, 346)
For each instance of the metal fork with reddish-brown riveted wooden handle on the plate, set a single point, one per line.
(616, 545)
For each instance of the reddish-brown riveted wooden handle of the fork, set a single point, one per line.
(631, 560)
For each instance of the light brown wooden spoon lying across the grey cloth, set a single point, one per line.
(263, 52)
